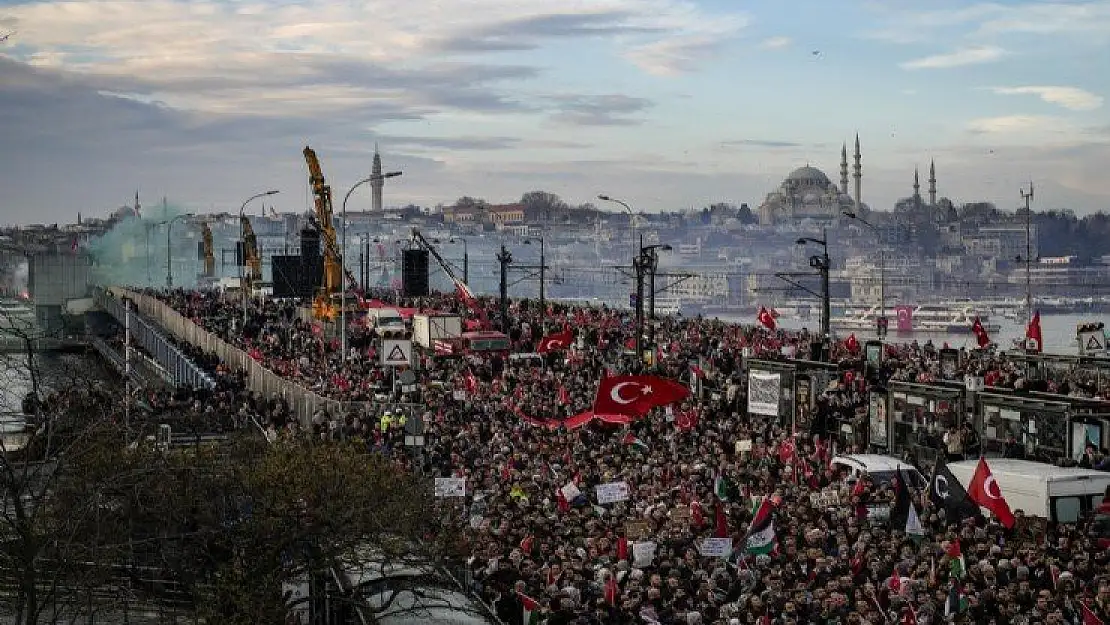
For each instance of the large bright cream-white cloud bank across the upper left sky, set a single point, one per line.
(214, 56)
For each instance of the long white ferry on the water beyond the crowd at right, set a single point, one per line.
(923, 319)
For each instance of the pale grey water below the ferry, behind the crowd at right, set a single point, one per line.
(1058, 331)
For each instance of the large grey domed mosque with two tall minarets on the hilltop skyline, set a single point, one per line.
(809, 194)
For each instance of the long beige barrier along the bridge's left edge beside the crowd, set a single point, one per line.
(302, 401)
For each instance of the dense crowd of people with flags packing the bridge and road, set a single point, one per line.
(543, 550)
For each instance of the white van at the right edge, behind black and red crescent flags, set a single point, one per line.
(1057, 493)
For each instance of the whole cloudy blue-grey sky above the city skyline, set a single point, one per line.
(668, 105)
